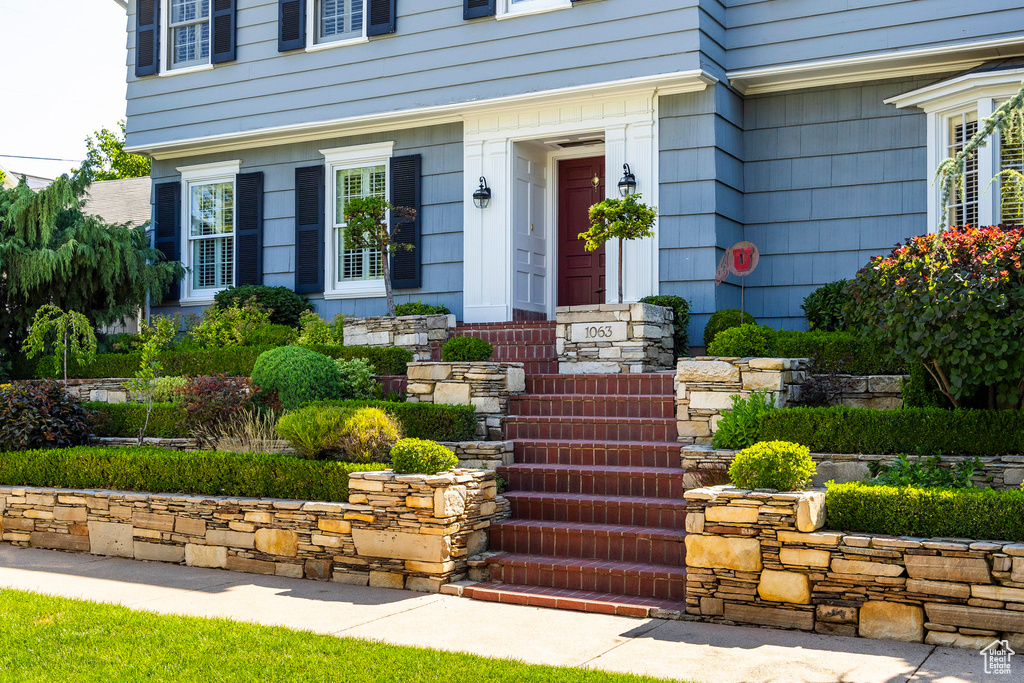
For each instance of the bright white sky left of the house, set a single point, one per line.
(63, 79)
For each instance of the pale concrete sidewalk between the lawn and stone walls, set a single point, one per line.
(699, 653)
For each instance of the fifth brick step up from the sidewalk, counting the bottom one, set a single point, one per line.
(633, 482)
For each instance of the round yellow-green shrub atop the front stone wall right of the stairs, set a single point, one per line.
(779, 465)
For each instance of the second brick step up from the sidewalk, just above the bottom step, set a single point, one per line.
(650, 581)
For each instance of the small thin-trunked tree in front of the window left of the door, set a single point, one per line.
(367, 228)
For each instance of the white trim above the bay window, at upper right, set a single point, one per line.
(874, 67)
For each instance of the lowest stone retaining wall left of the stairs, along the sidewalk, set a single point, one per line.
(413, 532)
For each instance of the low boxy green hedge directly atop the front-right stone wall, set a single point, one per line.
(959, 514)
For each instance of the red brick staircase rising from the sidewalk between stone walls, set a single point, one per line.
(596, 495)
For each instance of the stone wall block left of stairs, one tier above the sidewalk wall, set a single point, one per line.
(486, 386)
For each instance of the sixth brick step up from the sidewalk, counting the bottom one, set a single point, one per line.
(615, 454)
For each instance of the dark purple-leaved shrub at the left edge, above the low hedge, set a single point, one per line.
(41, 416)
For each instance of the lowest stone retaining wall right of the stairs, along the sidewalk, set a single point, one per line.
(761, 558)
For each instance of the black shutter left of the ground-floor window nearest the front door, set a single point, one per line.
(310, 236)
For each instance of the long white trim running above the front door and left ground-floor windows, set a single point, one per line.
(675, 83)
